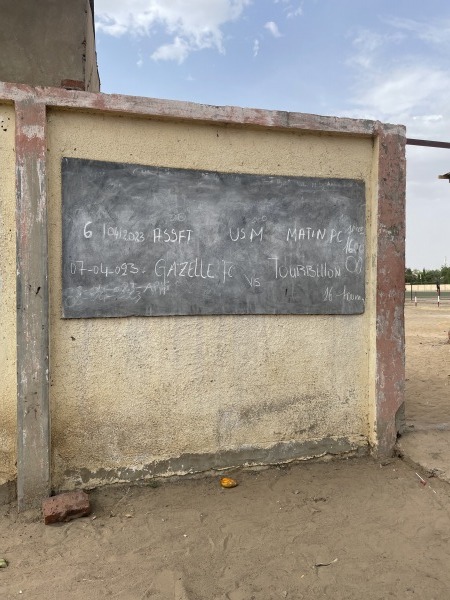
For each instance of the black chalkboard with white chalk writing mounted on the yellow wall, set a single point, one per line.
(148, 241)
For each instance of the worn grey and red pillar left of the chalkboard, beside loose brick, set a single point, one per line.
(33, 416)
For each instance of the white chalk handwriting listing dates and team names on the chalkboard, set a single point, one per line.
(256, 255)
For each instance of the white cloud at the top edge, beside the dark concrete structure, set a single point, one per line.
(191, 26)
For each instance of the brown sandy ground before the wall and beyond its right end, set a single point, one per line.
(347, 529)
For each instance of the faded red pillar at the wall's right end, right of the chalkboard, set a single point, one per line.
(390, 329)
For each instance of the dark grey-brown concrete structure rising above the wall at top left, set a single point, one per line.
(50, 43)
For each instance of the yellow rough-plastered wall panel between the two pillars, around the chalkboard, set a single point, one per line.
(128, 392)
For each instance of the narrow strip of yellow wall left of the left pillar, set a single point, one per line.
(8, 390)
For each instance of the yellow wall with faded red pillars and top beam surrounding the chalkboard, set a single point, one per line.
(138, 397)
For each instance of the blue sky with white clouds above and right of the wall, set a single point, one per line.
(387, 60)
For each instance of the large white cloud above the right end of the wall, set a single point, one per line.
(394, 85)
